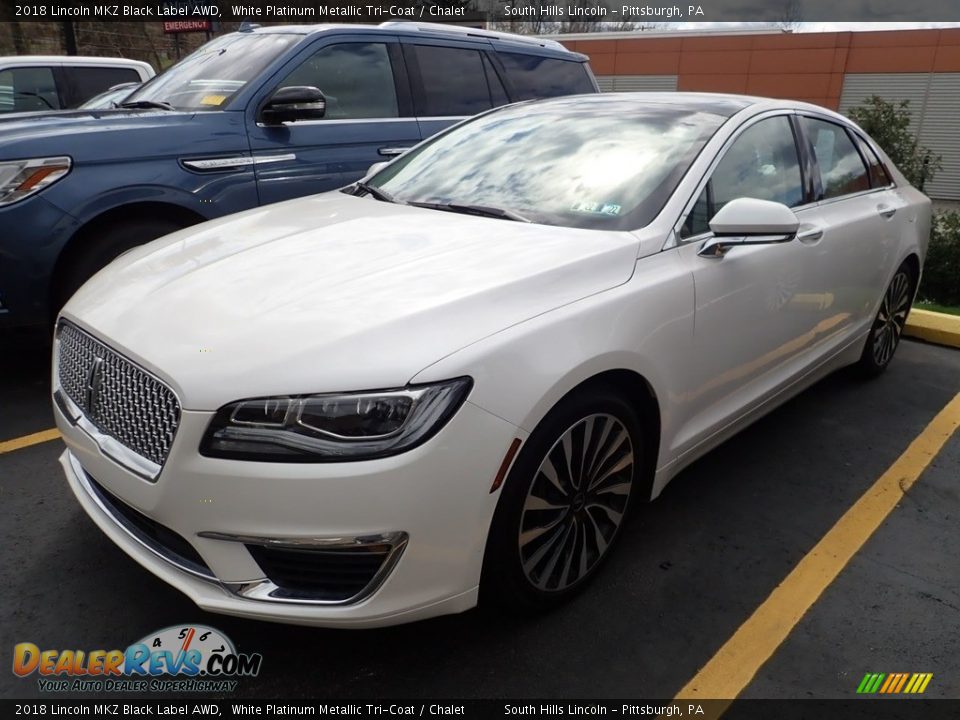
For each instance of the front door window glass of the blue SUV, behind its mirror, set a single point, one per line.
(355, 78)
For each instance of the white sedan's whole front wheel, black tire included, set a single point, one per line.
(551, 532)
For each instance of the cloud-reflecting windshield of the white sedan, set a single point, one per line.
(574, 162)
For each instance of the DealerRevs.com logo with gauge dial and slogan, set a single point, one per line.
(181, 658)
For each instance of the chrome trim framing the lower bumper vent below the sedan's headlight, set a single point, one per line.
(268, 591)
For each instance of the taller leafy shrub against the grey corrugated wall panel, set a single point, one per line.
(889, 126)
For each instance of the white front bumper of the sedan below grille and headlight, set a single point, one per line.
(430, 508)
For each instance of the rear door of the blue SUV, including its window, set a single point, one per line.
(451, 80)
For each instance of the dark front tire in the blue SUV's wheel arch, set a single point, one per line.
(101, 248)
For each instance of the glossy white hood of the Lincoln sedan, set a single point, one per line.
(334, 293)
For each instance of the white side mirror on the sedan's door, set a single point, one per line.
(748, 221)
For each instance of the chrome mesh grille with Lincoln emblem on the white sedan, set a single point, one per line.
(128, 404)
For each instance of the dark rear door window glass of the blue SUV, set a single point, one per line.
(454, 81)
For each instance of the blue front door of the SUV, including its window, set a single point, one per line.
(369, 117)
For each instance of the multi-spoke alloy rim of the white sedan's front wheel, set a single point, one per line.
(576, 502)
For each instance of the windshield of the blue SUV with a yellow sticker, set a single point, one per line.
(209, 77)
